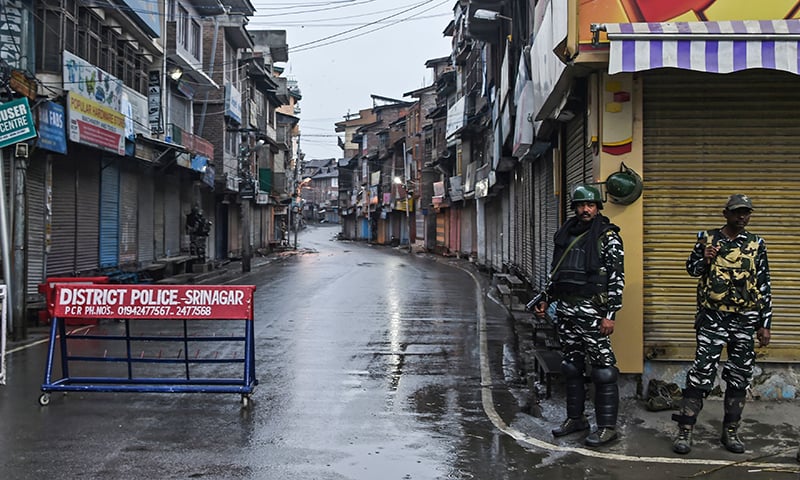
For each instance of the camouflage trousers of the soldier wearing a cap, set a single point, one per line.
(715, 330)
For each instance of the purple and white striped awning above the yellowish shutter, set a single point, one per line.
(715, 47)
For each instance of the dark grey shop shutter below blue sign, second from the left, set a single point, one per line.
(61, 257)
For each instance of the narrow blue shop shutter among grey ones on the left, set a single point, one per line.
(109, 216)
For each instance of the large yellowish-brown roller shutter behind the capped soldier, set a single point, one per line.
(705, 137)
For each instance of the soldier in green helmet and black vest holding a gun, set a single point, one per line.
(586, 281)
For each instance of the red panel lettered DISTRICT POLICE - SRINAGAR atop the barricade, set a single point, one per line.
(154, 301)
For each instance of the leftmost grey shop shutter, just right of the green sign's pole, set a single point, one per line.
(37, 209)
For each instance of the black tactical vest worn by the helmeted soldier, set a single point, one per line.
(572, 280)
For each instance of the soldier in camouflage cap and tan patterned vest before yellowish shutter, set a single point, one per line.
(734, 303)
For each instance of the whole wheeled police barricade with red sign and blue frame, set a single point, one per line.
(204, 341)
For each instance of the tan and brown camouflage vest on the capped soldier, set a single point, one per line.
(730, 283)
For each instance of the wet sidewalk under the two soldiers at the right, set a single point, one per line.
(770, 429)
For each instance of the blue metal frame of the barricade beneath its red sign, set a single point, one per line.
(59, 337)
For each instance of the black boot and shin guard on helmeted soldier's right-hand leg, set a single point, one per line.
(606, 406)
